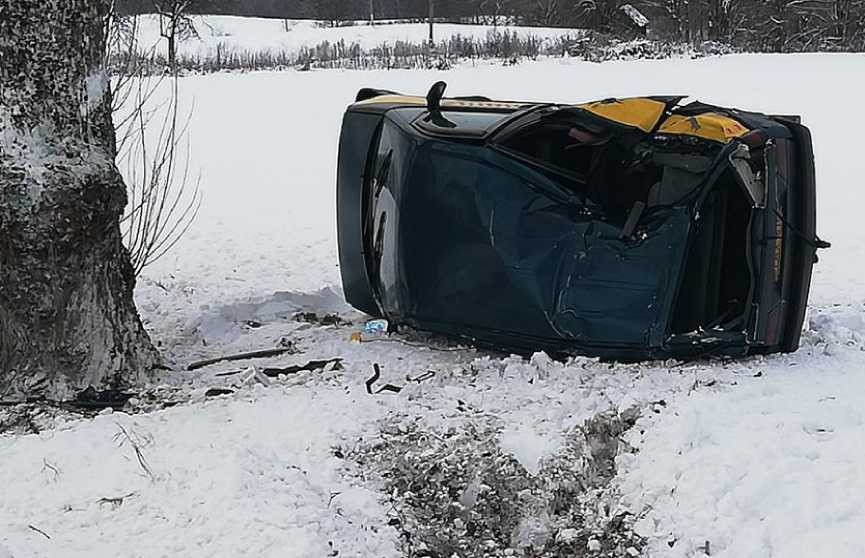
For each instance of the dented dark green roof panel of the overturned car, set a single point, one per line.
(488, 243)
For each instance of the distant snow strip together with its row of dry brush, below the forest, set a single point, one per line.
(239, 43)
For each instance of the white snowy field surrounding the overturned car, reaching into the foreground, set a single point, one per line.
(758, 458)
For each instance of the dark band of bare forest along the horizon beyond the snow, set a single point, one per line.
(761, 25)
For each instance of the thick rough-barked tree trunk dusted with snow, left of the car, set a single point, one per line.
(67, 317)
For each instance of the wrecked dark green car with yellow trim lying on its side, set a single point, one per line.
(625, 228)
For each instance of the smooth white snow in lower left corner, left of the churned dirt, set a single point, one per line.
(255, 475)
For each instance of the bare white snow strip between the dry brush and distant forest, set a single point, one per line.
(237, 34)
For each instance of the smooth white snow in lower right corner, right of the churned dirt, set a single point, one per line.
(771, 468)
